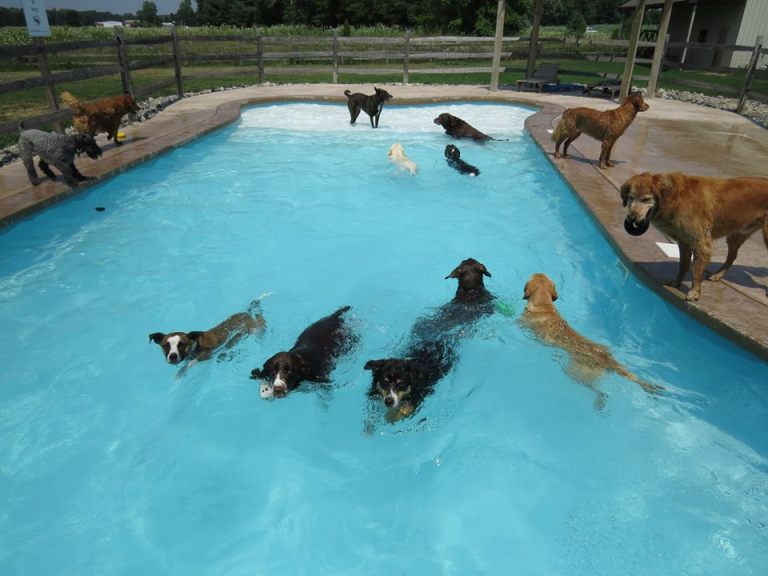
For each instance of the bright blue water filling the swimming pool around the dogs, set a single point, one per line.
(109, 464)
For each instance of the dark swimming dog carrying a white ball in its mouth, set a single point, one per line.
(312, 357)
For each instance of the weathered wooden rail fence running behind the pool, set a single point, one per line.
(46, 69)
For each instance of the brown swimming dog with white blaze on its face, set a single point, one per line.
(197, 346)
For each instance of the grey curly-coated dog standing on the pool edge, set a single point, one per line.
(58, 150)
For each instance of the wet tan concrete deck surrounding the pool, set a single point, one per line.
(670, 136)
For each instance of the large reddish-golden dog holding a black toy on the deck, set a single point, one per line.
(694, 211)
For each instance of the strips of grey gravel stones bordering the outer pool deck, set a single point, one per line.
(753, 110)
